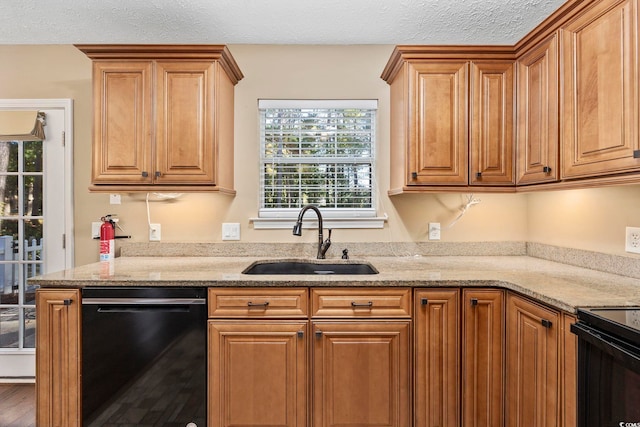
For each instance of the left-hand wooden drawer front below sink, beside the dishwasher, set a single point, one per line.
(269, 302)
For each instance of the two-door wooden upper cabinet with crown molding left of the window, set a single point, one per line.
(163, 117)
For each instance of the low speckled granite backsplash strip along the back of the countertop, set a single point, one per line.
(622, 265)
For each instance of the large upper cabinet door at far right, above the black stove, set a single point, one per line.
(599, 105)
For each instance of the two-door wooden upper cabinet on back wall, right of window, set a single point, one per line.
(452, 118)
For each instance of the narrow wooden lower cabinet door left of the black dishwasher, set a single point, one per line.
(58, 360)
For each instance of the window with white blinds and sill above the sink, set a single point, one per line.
(321, 153)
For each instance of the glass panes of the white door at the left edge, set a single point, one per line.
(21, 239)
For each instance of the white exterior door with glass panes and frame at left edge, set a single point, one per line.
(36, 226)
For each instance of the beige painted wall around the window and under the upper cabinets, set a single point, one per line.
(306, 72)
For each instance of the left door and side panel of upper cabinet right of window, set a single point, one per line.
(429, 123)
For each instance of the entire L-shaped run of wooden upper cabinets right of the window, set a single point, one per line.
(559, 109)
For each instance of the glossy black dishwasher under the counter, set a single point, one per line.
(144, 356)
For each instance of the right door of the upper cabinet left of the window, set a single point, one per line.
(185, 123)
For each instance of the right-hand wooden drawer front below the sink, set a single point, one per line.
(362, 303)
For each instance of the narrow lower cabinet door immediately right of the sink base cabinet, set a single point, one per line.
(437, 358)
